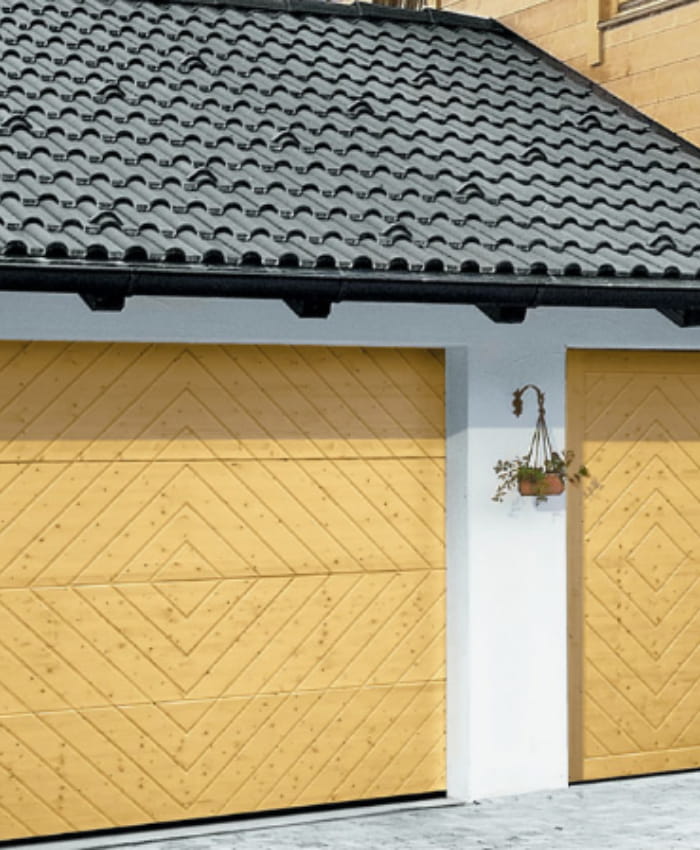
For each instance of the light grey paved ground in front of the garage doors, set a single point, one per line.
(659, 813)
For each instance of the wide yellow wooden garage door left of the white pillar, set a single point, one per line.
(221, 581)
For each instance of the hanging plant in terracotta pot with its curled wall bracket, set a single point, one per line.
(542, 472)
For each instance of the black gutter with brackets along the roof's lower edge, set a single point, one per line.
(504, 297)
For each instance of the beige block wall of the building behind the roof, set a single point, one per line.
(653, 61)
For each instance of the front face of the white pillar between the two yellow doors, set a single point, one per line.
(516, 582)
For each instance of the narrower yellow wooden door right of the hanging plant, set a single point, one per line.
(635, 588)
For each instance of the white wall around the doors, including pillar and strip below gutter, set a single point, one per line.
(507, 683)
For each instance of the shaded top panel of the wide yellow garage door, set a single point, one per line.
(132, 401)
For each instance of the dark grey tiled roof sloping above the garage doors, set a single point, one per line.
(267, 140)
